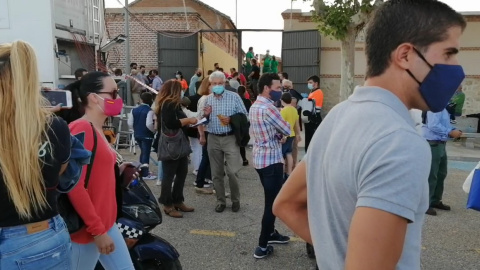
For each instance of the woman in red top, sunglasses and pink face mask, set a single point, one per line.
(100, 239)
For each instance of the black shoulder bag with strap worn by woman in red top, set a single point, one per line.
(72, 219)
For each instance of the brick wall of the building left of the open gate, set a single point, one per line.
(143, 42)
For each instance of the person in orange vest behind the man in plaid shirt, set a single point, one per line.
(315, 119)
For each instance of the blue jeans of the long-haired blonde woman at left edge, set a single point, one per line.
(48, 249)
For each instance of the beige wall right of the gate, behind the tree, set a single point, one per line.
(330, 62)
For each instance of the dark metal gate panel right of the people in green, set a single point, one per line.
(301, 56)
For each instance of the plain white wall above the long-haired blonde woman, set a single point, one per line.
(31, 21)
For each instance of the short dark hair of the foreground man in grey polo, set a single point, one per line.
(420, 22)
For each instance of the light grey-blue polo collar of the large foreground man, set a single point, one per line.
(377, 94)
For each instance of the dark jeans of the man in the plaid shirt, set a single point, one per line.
(272, 181)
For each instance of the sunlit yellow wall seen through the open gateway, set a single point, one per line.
(213, 54)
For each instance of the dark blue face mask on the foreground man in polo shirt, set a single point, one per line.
(440, 84)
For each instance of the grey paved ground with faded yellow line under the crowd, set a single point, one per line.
(209, 240)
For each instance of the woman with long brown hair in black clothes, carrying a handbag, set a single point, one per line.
(169, 113)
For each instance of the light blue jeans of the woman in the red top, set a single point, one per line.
(86, 256)
